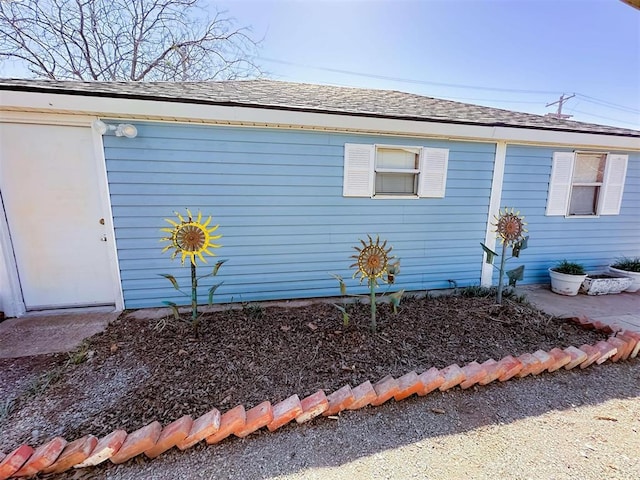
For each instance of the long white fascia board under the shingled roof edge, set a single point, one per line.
(274, 118)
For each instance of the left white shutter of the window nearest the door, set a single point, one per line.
(358, 170)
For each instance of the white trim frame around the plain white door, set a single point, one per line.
(11, 299)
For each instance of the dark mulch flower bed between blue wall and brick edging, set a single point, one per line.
(138, 371)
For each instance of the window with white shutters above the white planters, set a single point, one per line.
(586, 184)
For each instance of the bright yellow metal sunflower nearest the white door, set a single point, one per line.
(191, 238)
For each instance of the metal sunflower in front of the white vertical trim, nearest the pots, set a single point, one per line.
(510, 229)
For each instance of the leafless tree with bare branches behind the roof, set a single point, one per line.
(134, 40)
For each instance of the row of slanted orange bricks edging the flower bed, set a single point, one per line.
(153, 440)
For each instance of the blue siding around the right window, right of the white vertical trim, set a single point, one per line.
(595, 242)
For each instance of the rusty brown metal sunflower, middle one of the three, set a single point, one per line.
(373, 264)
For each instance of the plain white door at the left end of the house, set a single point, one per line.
(49, 186)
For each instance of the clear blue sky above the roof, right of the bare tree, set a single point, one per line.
(514, 54)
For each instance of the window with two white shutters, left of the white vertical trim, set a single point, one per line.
(391, 171)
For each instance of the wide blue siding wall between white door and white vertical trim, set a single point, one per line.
(277, 195)
